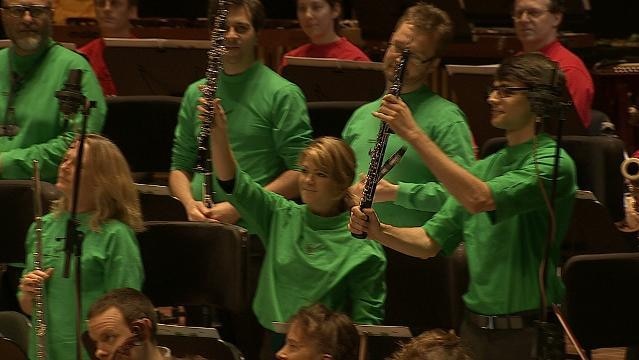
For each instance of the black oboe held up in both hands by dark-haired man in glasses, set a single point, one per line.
(378, 151)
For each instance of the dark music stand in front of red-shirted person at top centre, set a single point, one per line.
(336, 80)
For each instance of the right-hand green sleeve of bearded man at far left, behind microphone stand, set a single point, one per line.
(18, 163)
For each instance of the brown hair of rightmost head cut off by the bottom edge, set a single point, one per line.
(435, 344)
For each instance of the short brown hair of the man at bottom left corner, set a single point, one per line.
(132, 304)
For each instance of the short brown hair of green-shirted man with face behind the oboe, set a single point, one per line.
(427, 18)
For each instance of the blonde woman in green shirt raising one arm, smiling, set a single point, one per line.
(311, 256)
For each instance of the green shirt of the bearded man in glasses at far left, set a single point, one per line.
(42, 135)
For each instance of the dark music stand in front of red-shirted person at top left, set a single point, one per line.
(143, 66)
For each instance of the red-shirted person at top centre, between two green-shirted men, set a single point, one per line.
(320, 21)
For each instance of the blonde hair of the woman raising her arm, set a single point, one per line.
(338, 159)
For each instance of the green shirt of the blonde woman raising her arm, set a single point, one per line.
(310, 259)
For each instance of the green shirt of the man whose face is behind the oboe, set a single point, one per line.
(420, 194)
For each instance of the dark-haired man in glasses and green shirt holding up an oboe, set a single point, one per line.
(499, 208)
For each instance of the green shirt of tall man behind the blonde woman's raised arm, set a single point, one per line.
(268, 126)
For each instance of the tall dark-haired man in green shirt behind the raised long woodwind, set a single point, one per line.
(268, 121)
